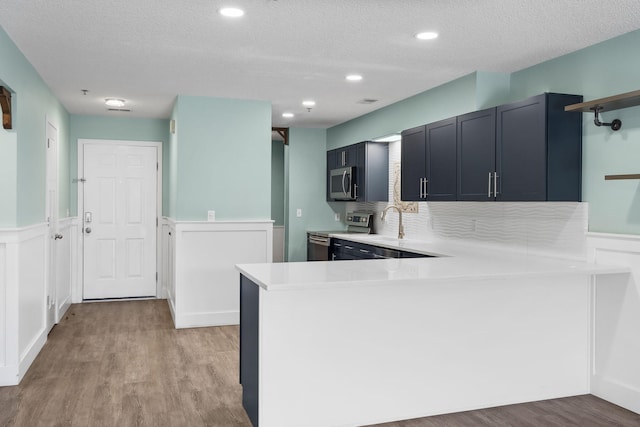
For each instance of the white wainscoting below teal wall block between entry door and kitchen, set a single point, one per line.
(203, 289)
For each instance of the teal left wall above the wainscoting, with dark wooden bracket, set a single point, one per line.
(23, 149)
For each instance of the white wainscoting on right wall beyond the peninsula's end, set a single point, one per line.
(616, 321)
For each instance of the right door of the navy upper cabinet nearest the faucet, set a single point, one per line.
(441, 160)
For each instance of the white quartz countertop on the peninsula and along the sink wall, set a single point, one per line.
(452, 261)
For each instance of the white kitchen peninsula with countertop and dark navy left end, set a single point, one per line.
(360, 342)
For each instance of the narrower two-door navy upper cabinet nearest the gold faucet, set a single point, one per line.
(428, 159)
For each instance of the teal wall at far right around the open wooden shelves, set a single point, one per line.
(602, 70)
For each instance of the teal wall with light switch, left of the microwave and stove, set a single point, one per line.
(307, 160)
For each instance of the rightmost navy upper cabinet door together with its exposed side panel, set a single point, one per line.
(539, 150)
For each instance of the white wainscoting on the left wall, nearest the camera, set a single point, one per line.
(22, 306)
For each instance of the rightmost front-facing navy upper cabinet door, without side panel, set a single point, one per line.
(521, 150)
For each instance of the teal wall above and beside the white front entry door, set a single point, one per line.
(116, 128)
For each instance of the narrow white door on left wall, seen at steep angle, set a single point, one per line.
(52, 222)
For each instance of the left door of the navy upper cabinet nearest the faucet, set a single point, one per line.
(413, 164)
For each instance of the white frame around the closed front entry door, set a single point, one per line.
(78, 291)
